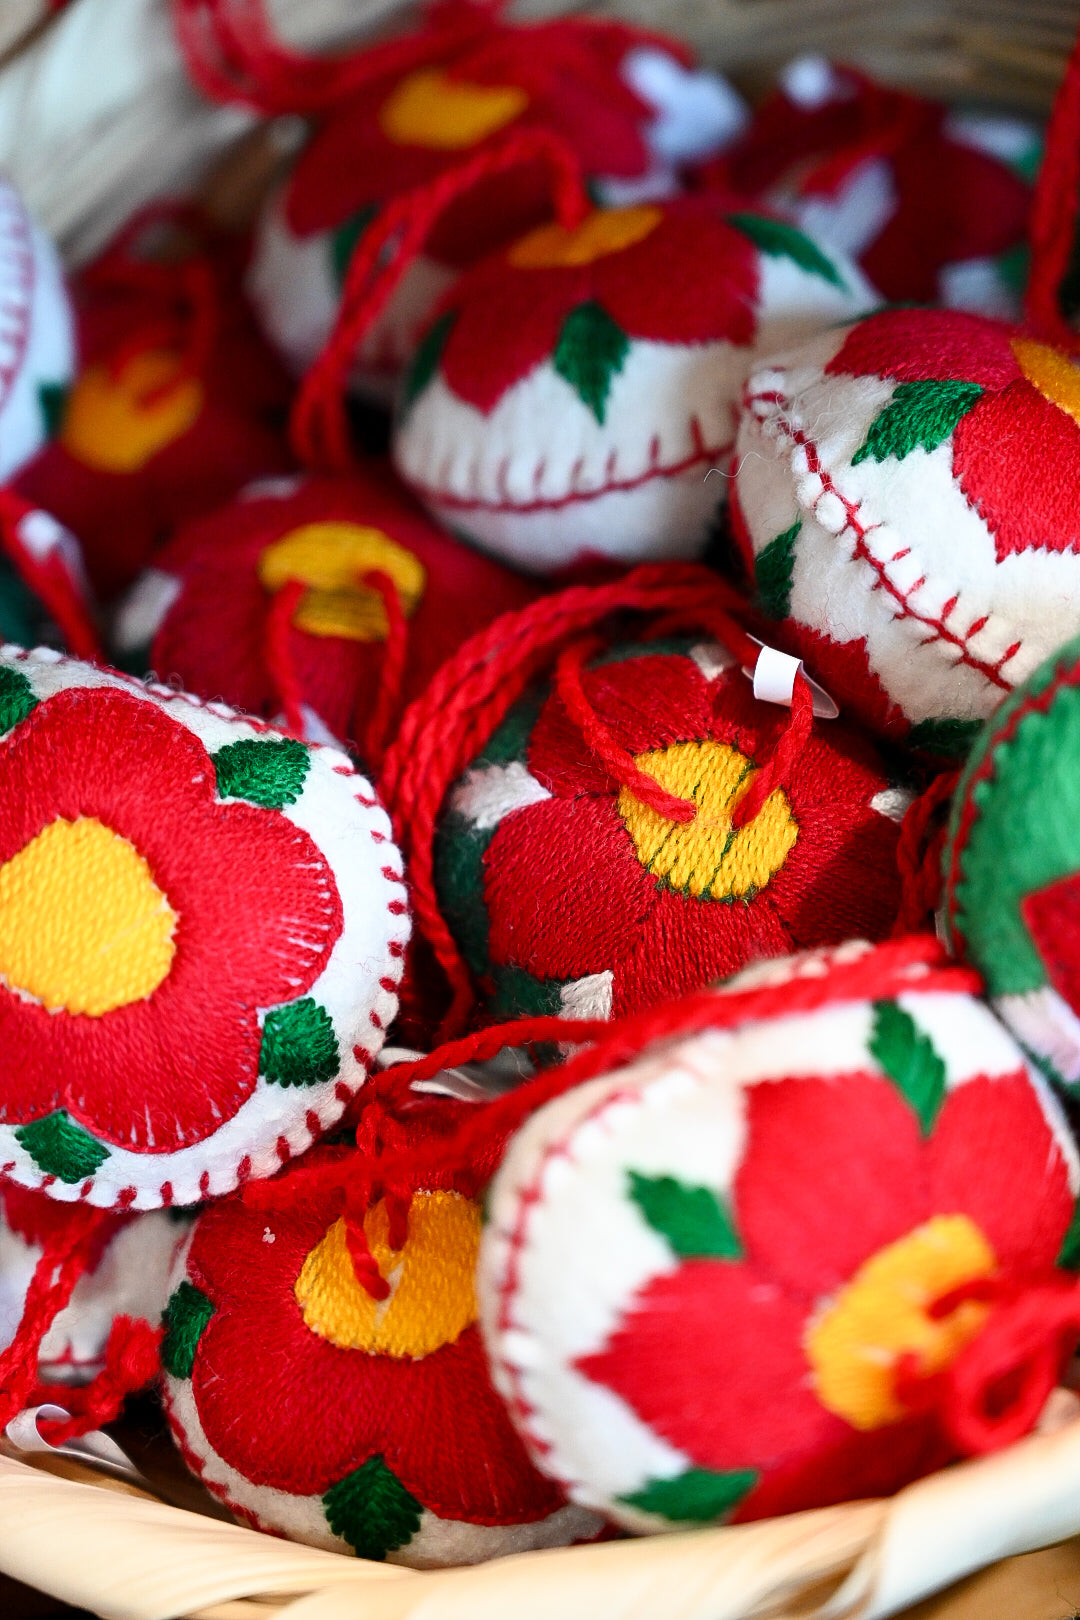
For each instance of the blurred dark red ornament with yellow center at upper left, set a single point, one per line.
(177, 404)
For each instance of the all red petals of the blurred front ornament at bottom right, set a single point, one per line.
(835, 1172)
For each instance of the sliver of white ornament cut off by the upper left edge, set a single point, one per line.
(38, 344)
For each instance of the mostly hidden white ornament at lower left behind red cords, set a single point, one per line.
(129, 1277)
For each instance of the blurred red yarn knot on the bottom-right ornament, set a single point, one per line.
(998, 1386)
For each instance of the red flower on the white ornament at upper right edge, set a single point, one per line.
(1027, 416)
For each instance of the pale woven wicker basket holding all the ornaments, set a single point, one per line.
(95, 119)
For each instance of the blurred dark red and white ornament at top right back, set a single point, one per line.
(930, 203)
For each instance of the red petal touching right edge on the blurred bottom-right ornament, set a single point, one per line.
(993, 1157)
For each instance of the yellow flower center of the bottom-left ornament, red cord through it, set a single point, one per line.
(433, 1292)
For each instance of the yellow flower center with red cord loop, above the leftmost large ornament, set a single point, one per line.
(333, 560)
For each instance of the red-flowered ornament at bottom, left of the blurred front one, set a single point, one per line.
(376, 1430)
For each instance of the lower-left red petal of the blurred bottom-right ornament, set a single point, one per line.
(710, 1357)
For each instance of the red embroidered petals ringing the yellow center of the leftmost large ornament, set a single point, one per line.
(257, 916)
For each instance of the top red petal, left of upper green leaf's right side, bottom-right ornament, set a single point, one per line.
(831, 1174)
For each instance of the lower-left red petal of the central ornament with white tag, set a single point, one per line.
(564, 889)
